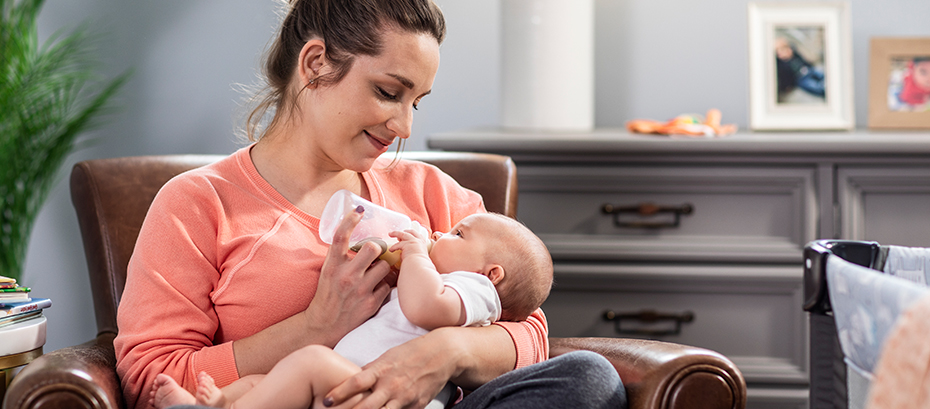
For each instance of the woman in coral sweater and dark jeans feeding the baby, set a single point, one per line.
(229, 274)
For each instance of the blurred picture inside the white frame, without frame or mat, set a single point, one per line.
(799, 64)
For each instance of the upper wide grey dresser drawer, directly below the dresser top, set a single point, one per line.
(737, 213)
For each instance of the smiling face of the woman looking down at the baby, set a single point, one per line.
(355, 120)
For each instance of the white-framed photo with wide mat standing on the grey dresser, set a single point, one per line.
(800, 66)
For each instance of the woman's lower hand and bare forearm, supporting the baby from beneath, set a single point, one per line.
(411, 374)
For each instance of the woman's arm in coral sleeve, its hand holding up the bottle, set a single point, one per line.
(169, 322)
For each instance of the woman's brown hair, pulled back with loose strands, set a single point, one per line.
(348, 28)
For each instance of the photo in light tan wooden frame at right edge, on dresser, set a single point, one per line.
(899, 83)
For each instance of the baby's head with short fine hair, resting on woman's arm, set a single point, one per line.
(504, 250)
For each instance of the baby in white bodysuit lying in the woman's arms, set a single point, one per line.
(489, 267)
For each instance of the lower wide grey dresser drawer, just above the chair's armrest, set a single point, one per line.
(749, 314)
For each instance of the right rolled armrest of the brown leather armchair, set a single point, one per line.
(665, 375)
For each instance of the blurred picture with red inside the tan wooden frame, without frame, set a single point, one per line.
(909, 84)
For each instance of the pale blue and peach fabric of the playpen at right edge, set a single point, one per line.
(883, 325)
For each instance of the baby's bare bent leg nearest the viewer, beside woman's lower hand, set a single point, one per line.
(300, 380)
